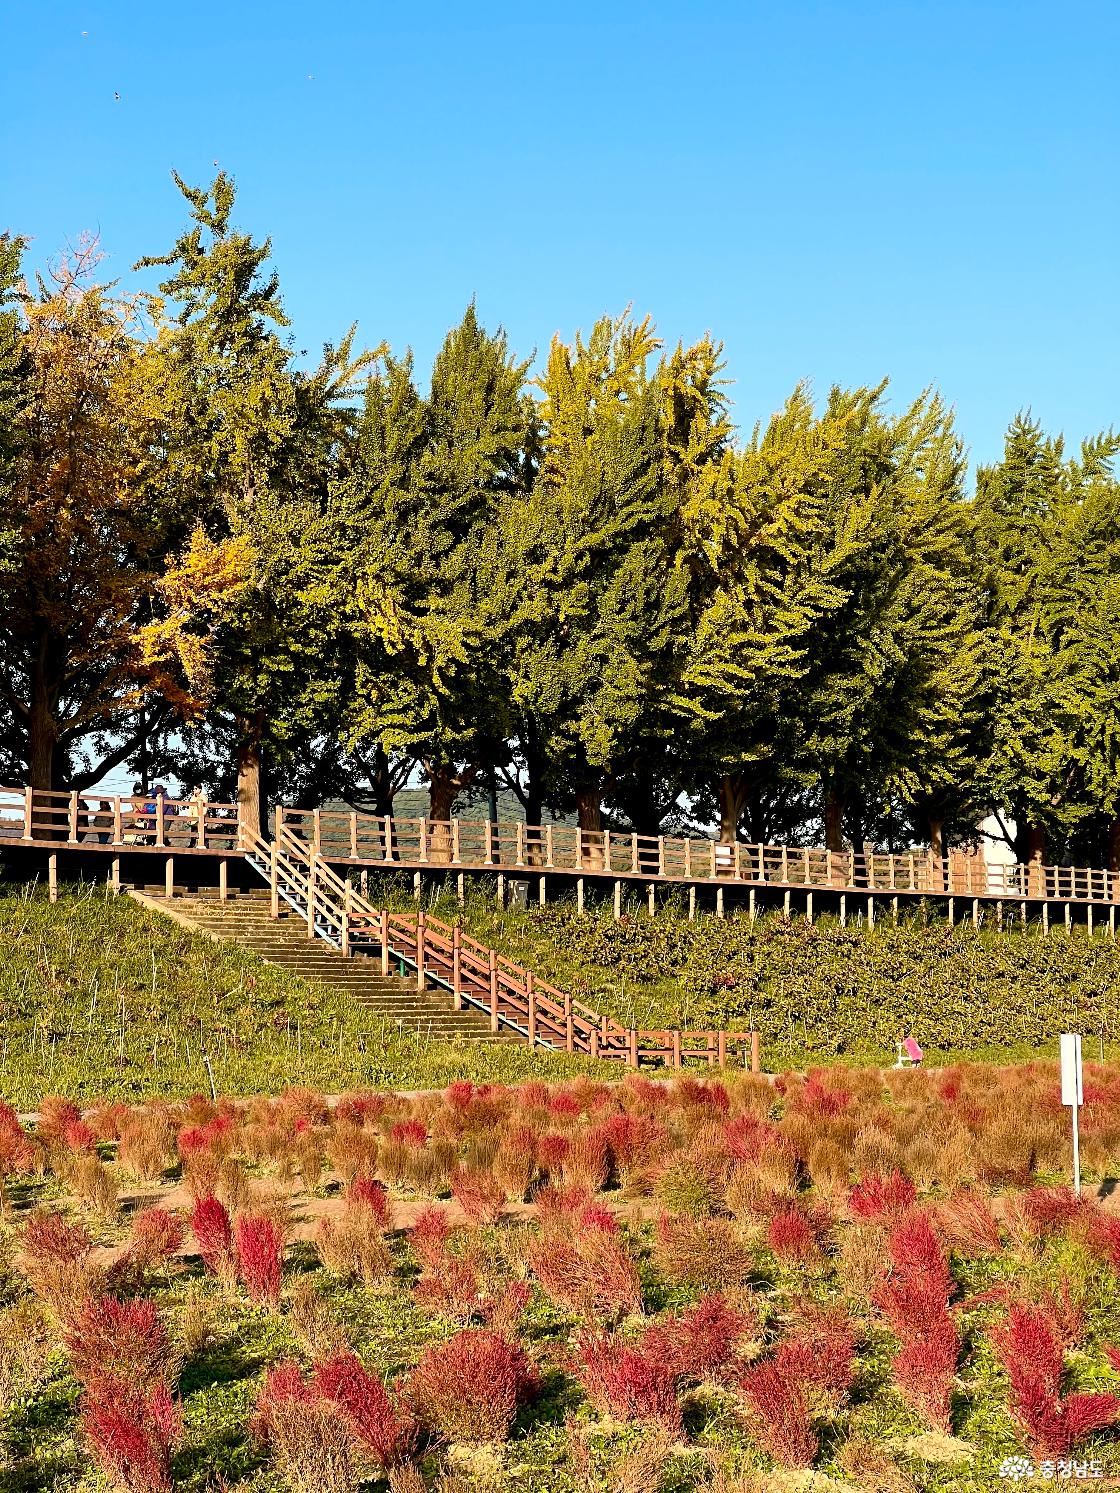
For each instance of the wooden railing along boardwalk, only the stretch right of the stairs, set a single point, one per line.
(480, 846)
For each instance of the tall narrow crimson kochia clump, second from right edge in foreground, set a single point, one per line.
(915, 1300)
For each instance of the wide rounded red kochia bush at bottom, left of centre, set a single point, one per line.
(471, 1386)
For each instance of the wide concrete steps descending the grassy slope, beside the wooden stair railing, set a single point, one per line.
(244, 920)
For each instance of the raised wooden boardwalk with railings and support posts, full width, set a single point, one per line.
(564, 858)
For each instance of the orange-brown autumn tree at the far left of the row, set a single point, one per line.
(93, 635)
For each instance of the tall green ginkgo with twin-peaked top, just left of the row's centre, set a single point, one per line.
(417, 522)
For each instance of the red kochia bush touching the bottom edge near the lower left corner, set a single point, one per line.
(132, 1434)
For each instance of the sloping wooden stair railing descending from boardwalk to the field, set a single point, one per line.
(477, 977)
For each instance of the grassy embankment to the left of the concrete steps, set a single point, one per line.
(101, 998)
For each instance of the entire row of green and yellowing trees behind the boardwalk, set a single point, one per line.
(223, 564)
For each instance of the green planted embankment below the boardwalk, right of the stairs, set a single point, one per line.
(818, 992)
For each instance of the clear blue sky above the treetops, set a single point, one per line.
(839, 190)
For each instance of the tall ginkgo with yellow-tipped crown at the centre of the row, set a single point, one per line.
(595, 601)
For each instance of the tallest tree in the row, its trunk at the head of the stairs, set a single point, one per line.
(258, 440)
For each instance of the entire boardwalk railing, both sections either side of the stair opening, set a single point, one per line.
(368, 840)
